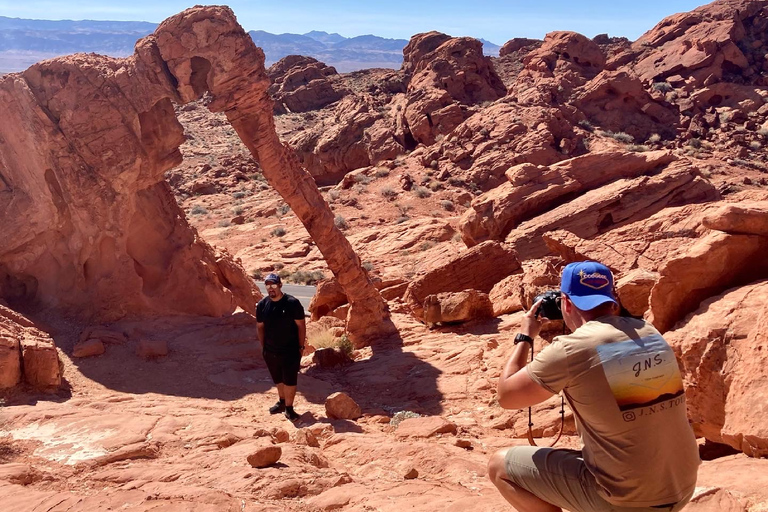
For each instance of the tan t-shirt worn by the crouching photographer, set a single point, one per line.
(623, 384)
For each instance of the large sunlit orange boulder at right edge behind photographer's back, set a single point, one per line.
(721, 347)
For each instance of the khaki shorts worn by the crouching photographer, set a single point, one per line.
(561, 478)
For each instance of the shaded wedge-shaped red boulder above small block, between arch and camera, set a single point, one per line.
(478, 269)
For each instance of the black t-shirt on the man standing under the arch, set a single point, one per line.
(279, 317)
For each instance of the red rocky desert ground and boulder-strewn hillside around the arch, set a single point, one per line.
(464, 184)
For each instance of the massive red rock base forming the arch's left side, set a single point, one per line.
(96, 231)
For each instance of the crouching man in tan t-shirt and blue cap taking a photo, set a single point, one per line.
(623, 384)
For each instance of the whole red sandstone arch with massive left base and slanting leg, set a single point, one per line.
(87, 214)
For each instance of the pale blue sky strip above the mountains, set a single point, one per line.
(494, 20)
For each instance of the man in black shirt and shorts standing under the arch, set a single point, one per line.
(282, 333)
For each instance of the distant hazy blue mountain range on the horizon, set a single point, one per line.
(24, 42)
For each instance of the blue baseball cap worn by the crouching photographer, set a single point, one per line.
(588, 284)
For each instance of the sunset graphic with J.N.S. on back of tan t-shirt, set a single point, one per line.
(641, 373)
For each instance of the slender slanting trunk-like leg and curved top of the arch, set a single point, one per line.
(221, 59)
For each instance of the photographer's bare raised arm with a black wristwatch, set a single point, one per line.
(516, 389)
